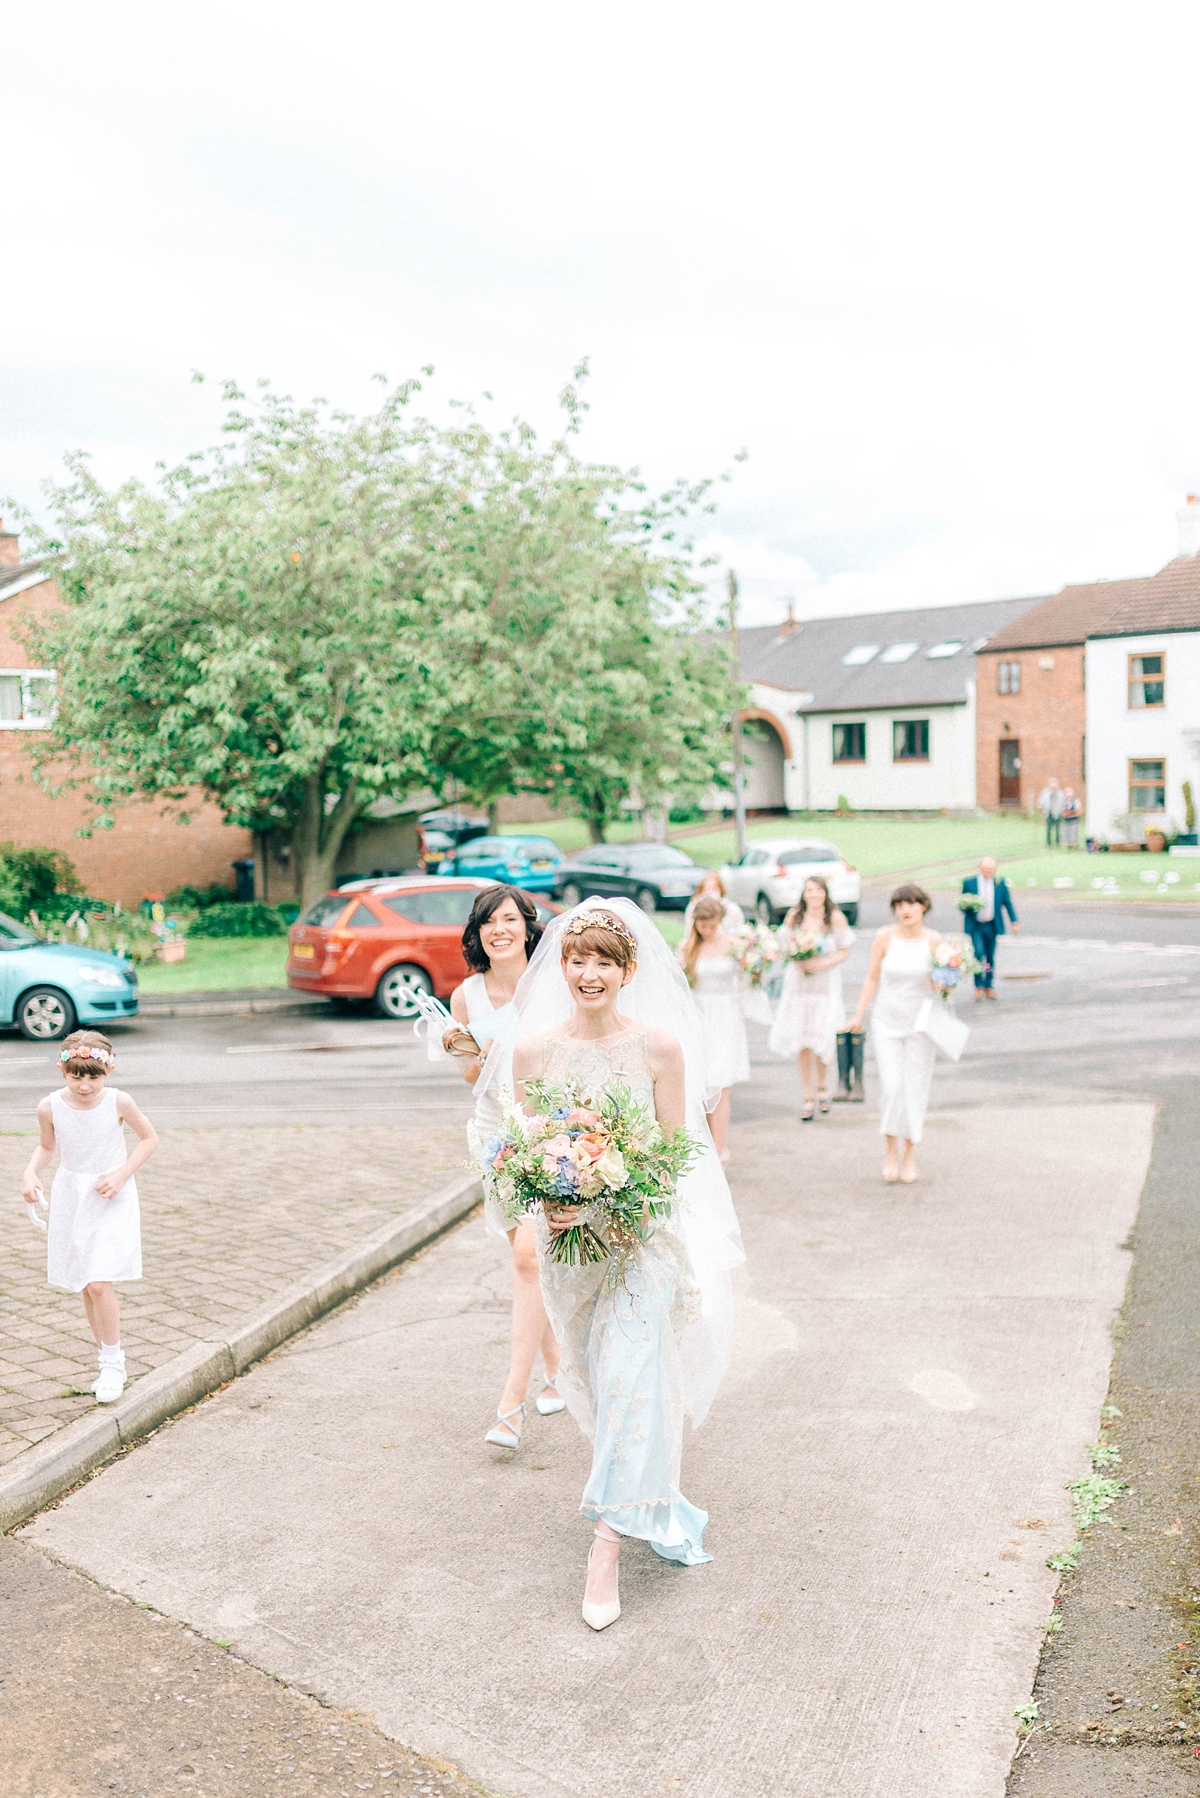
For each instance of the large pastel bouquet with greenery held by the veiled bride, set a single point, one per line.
(602, 1153)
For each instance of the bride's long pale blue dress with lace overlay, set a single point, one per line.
(622, 1369)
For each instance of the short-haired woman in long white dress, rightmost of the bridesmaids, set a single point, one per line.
(900, 974)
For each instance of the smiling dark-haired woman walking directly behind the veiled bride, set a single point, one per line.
(497, 943)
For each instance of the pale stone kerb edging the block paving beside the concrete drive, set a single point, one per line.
(49, 1470)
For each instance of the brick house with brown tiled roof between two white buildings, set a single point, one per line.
(1030, 700)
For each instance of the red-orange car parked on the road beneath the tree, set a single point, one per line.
(381, 939)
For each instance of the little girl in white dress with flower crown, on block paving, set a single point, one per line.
(94, 1229)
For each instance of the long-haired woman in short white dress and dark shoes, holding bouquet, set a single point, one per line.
(812, 1011)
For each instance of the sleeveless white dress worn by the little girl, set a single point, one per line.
(91, 1238)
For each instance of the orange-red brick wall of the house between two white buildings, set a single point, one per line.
(1048, 718)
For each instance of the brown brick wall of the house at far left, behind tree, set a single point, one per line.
(147, 850)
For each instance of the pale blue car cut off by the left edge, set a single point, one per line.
(48, 990)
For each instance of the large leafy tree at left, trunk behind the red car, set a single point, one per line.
(262, 627)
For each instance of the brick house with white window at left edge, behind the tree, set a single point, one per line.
(147, 850)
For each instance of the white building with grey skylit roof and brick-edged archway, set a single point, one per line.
(877, 711)
